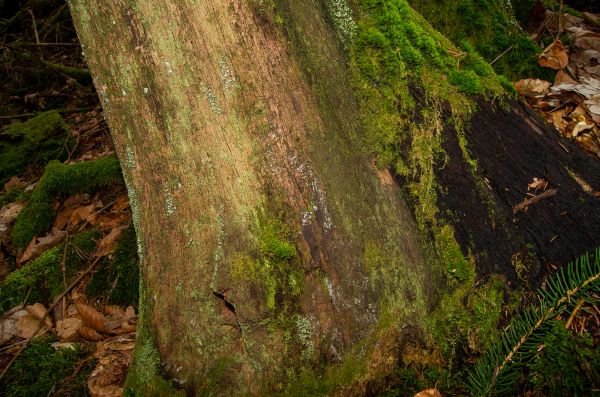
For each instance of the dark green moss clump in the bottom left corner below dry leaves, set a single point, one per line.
(41, 370)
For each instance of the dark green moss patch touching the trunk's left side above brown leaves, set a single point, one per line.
(117, 279)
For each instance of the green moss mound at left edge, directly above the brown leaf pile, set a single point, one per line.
(42, 278)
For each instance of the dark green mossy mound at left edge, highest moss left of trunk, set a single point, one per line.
(37, 140)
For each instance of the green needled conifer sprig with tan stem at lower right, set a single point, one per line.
(496, 372)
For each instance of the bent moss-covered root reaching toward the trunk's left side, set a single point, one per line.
(60, 180)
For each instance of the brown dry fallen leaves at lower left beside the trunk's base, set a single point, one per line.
(113, 331)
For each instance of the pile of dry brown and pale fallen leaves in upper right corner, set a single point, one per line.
(572, 101)
